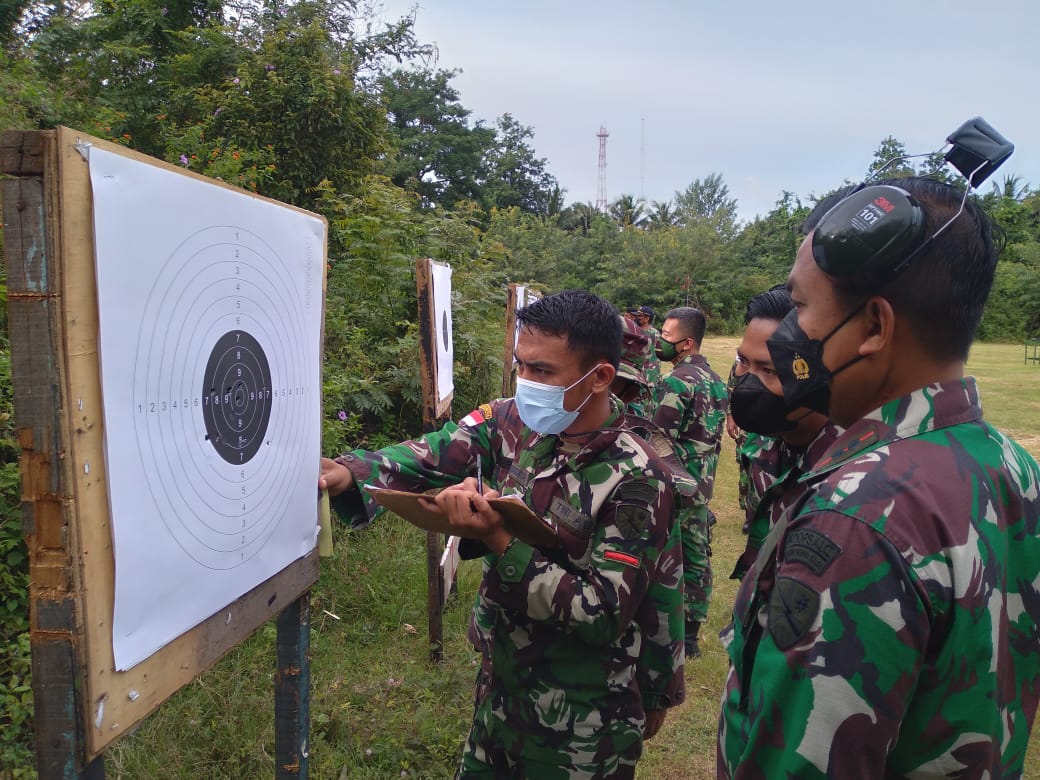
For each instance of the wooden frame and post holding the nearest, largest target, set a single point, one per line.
(83, 705)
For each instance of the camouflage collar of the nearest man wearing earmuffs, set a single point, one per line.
(930, 408)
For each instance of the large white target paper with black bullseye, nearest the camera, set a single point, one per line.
(211, 311)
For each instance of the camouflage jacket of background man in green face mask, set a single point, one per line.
(692, 411)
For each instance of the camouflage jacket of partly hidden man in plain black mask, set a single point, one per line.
(774, 466)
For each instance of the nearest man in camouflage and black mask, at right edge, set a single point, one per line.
(890, 627)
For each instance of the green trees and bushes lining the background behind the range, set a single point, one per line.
(319, 105)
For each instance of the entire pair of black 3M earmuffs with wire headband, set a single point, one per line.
(877, 230)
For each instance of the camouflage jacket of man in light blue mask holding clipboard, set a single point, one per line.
(593, 627)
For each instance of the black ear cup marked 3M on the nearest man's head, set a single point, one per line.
(873, 232)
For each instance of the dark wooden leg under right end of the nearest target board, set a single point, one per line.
(293, 706)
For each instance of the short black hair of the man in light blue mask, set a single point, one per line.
(591, 325)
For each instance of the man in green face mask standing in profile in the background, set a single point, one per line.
(692, 411)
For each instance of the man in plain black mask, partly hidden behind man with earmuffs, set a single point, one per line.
(779, 446)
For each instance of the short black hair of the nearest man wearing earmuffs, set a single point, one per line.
(945, 289)
